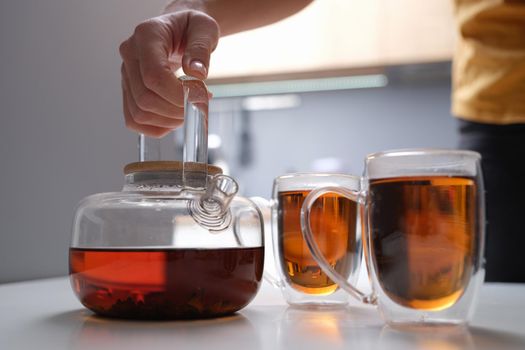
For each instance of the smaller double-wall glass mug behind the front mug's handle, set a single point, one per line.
(334, 226)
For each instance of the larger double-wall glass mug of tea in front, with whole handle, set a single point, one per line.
(423, 215)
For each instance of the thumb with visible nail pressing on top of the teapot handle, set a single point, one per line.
(202, 36)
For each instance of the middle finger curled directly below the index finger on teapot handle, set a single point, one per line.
(146, 99)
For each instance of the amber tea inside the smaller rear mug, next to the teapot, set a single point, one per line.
(333, 222)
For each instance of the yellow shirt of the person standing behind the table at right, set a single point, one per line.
(489, 61)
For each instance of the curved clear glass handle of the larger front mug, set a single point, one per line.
(316, 251)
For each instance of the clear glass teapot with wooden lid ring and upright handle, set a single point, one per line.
(177, 242)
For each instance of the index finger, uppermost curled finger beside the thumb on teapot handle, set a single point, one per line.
(153, 47)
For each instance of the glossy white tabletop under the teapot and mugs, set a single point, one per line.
(45, 314)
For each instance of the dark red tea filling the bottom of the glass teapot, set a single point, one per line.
(166, 283)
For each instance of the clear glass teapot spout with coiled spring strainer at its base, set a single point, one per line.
(211, 210)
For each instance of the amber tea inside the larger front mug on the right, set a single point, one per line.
(423, 237)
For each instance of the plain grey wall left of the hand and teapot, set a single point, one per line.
(61, 136)
